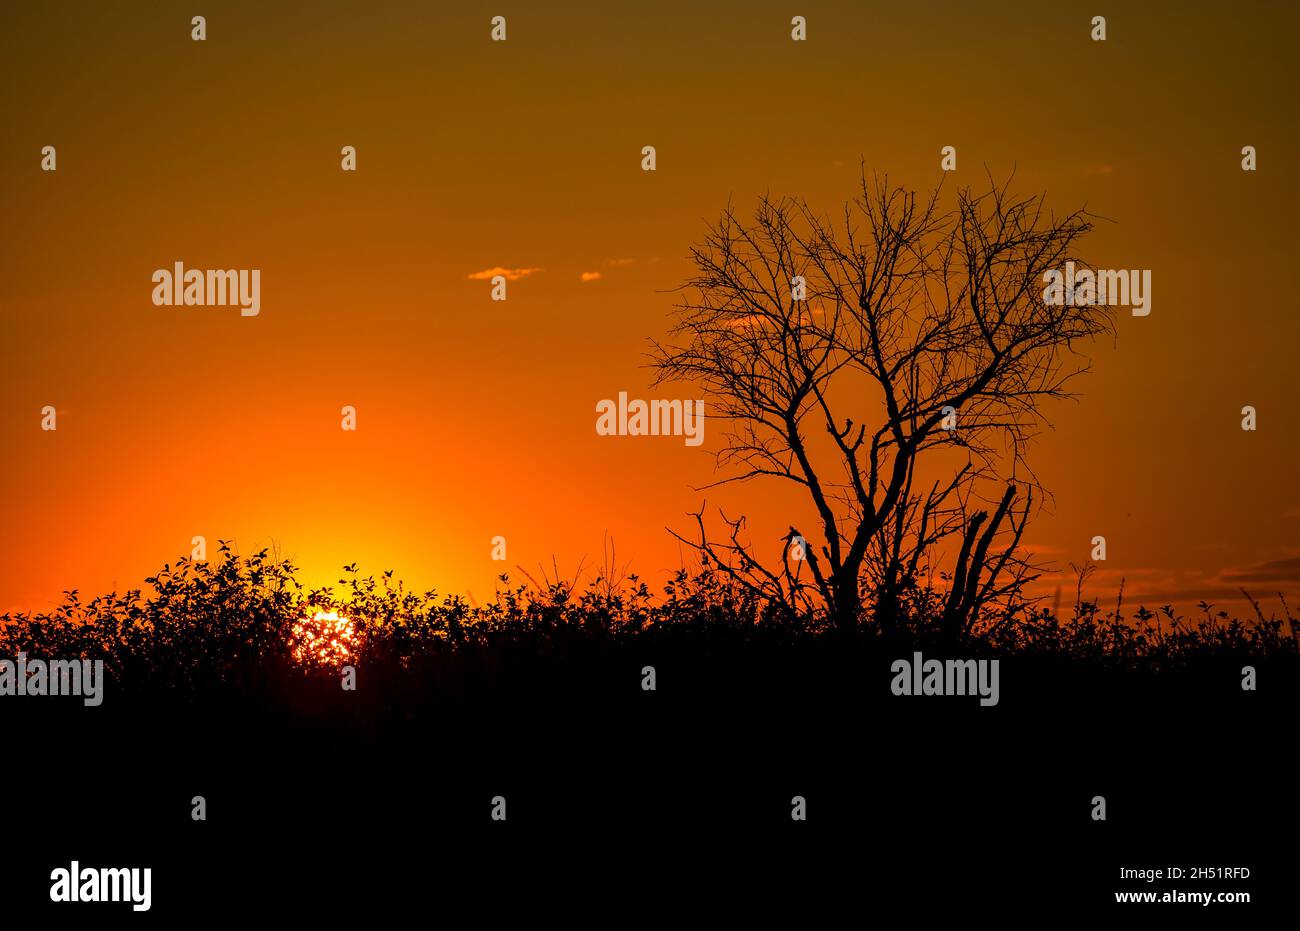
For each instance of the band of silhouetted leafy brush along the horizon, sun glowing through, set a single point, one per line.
(246, 625)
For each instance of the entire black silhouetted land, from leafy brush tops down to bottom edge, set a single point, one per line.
(538, 698)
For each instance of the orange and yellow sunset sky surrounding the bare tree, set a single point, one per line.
(476, 418)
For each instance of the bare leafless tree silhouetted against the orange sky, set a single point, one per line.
(842, 353)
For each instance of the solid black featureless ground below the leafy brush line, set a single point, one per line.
(674, 806)
